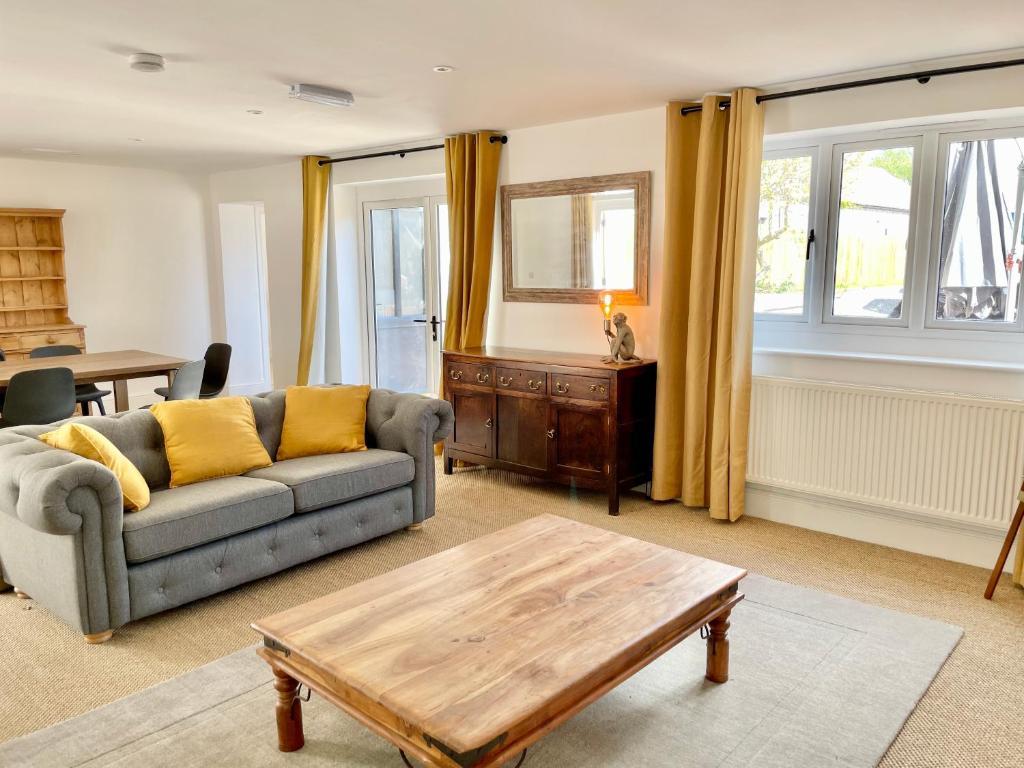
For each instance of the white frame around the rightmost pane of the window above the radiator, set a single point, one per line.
(946, 139)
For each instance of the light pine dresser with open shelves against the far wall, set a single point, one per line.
(33, 283)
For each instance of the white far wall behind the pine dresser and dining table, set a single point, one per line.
(136, 251)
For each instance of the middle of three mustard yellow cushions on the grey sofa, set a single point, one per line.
(210, 439)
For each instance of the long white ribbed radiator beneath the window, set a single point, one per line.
(941, 456)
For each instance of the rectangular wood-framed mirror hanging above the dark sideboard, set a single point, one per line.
(570, 241)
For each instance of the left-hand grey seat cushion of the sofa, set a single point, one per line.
(182, 519)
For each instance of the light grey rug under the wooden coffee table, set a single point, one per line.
(816, 680)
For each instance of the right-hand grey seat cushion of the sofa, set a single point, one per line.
(319, 482)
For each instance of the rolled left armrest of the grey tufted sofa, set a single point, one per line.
(61, 522)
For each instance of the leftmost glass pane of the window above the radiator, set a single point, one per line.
(783, 226)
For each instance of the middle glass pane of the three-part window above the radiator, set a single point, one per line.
(873, 233)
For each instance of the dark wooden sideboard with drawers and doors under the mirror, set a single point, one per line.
(566, 417)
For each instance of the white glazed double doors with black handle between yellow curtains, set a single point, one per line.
(403, 244)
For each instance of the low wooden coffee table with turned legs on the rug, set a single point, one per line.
(470, 657)
